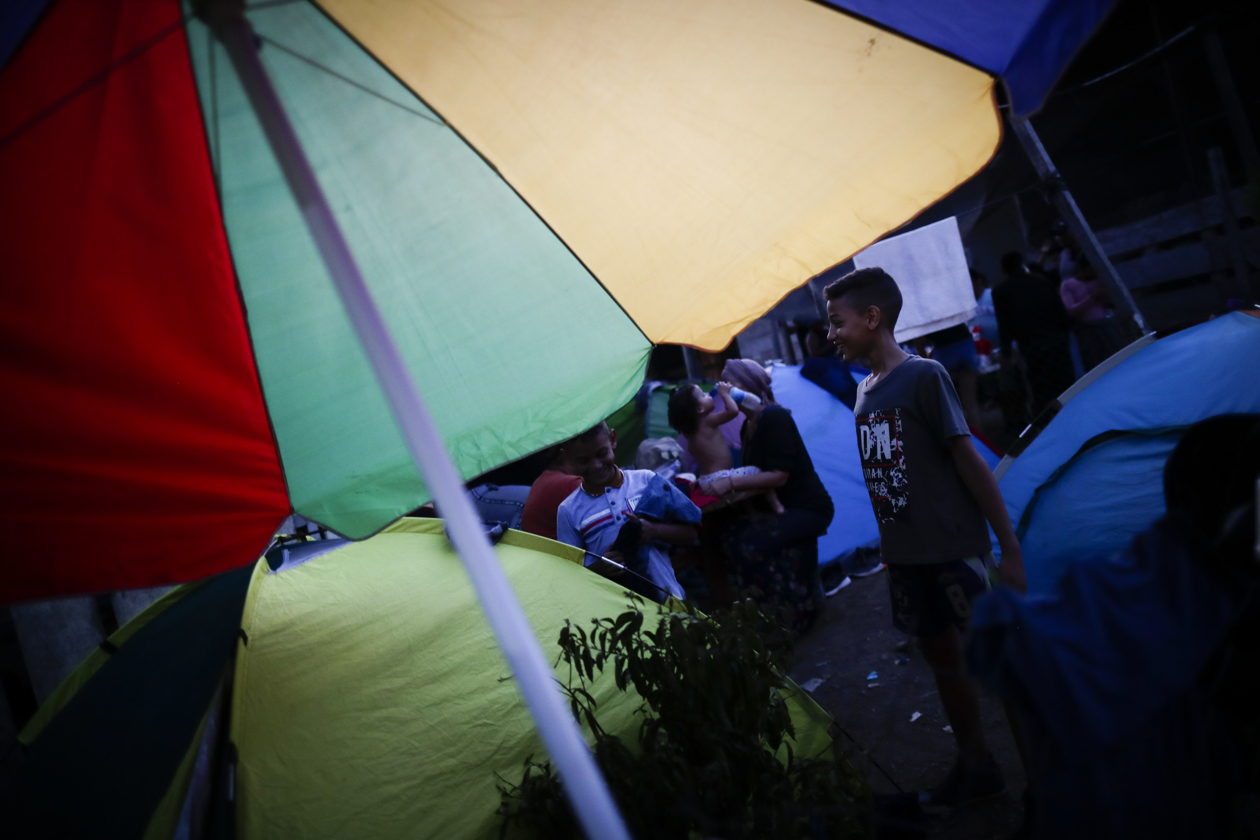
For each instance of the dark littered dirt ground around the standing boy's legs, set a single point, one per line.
(854, 638)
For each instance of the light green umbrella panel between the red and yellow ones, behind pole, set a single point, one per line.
(445, 245)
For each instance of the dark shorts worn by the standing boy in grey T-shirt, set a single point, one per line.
(928, 599)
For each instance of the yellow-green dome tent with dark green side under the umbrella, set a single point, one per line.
(352, 691)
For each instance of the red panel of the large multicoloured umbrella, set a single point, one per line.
(135, 414)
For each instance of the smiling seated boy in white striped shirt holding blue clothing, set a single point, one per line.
(603, 517)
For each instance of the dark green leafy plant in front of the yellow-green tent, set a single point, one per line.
(713, 758)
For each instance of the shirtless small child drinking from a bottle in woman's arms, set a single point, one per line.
(697, 416)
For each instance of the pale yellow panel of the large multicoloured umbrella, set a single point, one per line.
(702, 159)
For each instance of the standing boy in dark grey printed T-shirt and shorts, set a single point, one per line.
(932, 496)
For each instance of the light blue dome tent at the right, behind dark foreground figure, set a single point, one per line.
(1092, 480)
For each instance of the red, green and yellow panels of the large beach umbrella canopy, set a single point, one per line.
(535, 192)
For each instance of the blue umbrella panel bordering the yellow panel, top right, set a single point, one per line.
(1029, 43)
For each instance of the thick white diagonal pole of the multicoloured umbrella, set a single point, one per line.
(584, 784)
